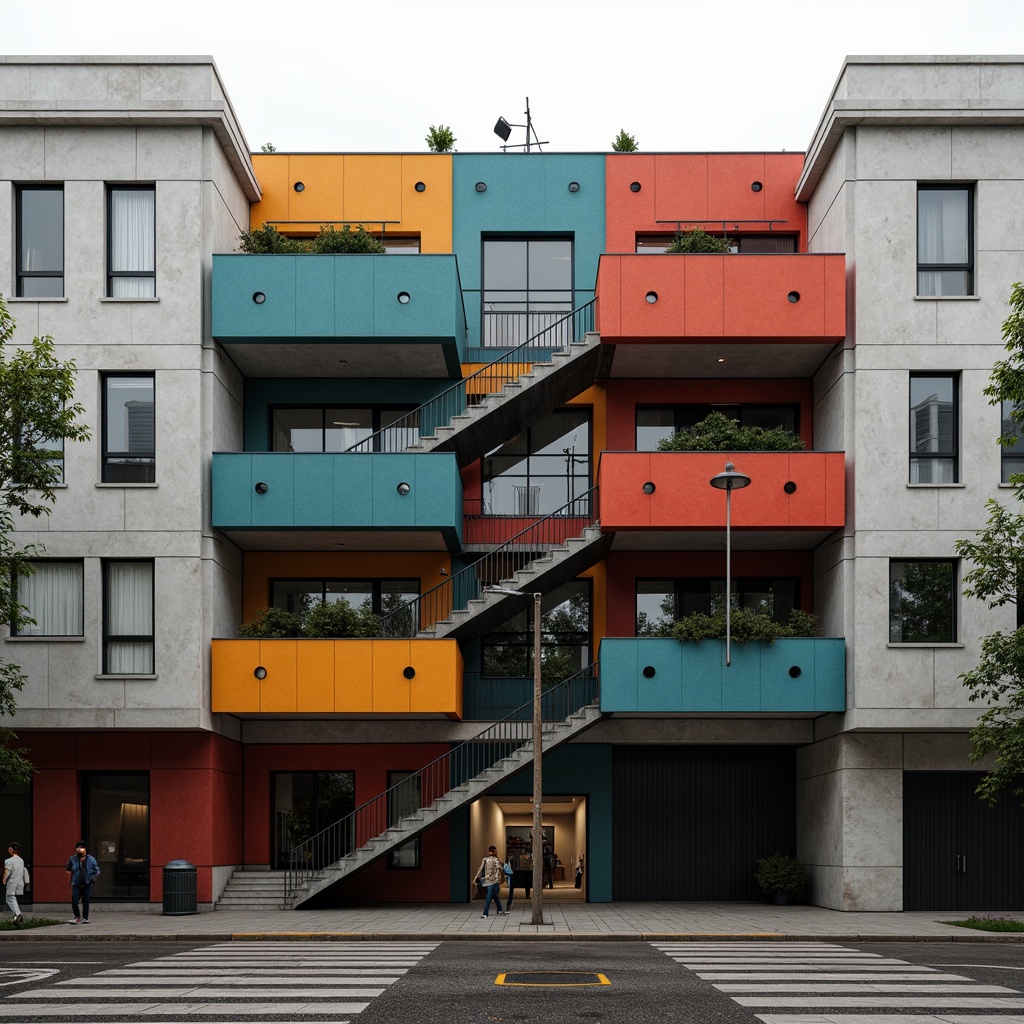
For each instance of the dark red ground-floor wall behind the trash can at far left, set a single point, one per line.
(195, 801)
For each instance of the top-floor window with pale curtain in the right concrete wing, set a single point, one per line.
(946, 240)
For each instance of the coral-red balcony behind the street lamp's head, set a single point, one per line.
(664, 499)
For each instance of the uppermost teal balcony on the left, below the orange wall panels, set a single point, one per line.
(349, 316)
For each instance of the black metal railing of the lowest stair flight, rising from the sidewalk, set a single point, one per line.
(438, 781)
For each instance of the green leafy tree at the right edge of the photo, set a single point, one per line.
(997, 577)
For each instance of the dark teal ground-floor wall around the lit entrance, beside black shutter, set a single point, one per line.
(583, 771)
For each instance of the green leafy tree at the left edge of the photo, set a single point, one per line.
(36, 393)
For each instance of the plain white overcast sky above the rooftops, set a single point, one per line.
(372, 75)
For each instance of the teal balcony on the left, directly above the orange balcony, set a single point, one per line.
(298, 501)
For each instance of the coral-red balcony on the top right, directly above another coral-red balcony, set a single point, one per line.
(738, 315)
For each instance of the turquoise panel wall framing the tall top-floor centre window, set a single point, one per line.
(527, 195)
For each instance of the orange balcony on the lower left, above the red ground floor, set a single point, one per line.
(338, 677)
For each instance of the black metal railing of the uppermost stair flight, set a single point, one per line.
(424, 421)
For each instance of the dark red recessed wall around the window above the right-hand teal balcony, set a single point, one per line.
(625, 568)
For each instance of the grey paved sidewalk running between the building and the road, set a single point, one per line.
(564, 922)
